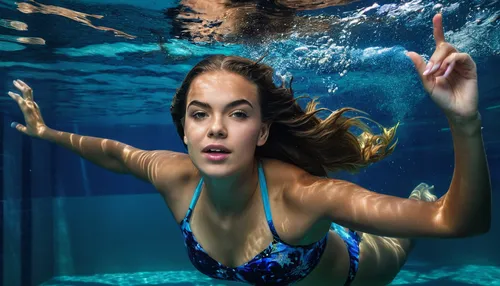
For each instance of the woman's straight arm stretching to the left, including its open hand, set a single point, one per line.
(156, 167)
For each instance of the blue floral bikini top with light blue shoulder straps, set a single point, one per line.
(279, 264)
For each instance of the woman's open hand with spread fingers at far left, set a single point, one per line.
(35, 126)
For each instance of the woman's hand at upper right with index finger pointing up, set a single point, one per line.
(450, 77)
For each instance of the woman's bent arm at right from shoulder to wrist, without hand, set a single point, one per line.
(465, 209)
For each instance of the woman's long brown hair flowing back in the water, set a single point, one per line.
(297, 136)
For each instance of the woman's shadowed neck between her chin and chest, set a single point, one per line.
(230, 196)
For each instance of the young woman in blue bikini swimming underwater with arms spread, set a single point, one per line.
(251, 195)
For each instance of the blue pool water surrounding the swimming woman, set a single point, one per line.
(67, 222)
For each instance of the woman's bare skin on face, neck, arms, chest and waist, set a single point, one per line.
(229, 220)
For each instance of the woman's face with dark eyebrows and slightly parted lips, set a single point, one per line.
(223, 123)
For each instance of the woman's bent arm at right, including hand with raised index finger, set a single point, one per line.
(450, 78)
